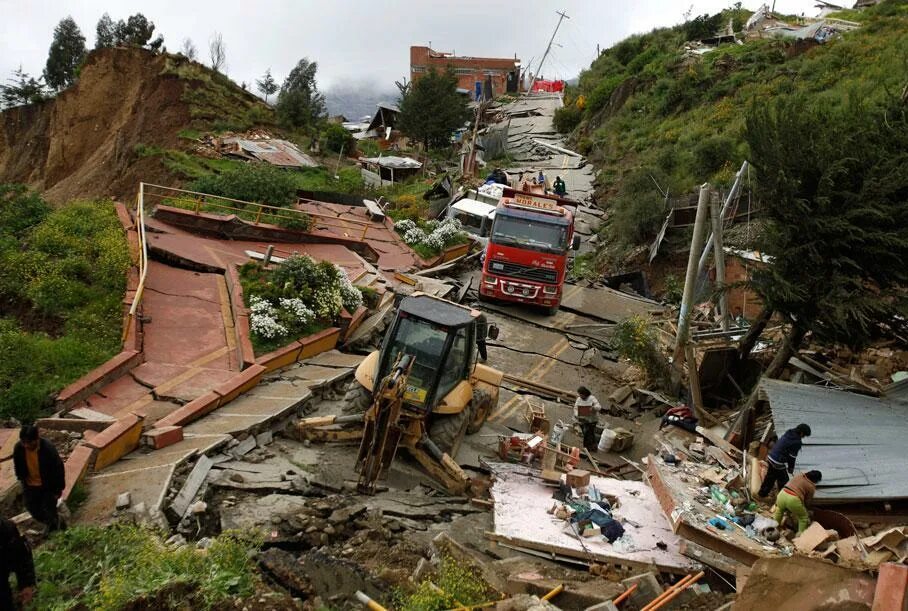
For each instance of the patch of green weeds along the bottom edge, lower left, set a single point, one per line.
(108, 568)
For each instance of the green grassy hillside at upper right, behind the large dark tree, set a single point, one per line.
(652, 111)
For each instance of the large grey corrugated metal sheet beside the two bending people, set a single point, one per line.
(858, 442)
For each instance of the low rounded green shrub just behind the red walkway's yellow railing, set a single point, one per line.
(251, 182)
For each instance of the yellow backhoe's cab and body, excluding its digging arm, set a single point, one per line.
(454, 393)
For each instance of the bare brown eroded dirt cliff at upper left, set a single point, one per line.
(82, 143)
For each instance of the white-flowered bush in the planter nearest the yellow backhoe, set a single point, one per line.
(297, 297)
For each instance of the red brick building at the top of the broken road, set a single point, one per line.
(504, 72)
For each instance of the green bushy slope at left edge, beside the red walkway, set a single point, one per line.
(62, 281)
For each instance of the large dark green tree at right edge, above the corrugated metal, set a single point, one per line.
(837, 223)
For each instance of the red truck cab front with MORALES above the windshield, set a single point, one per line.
(526, 258)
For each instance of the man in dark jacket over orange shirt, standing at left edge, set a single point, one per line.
(39, 468)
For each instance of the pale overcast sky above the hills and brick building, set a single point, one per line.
(365, 41)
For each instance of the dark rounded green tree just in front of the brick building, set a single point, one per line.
(431, 109)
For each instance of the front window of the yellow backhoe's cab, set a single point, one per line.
(425, 342)
